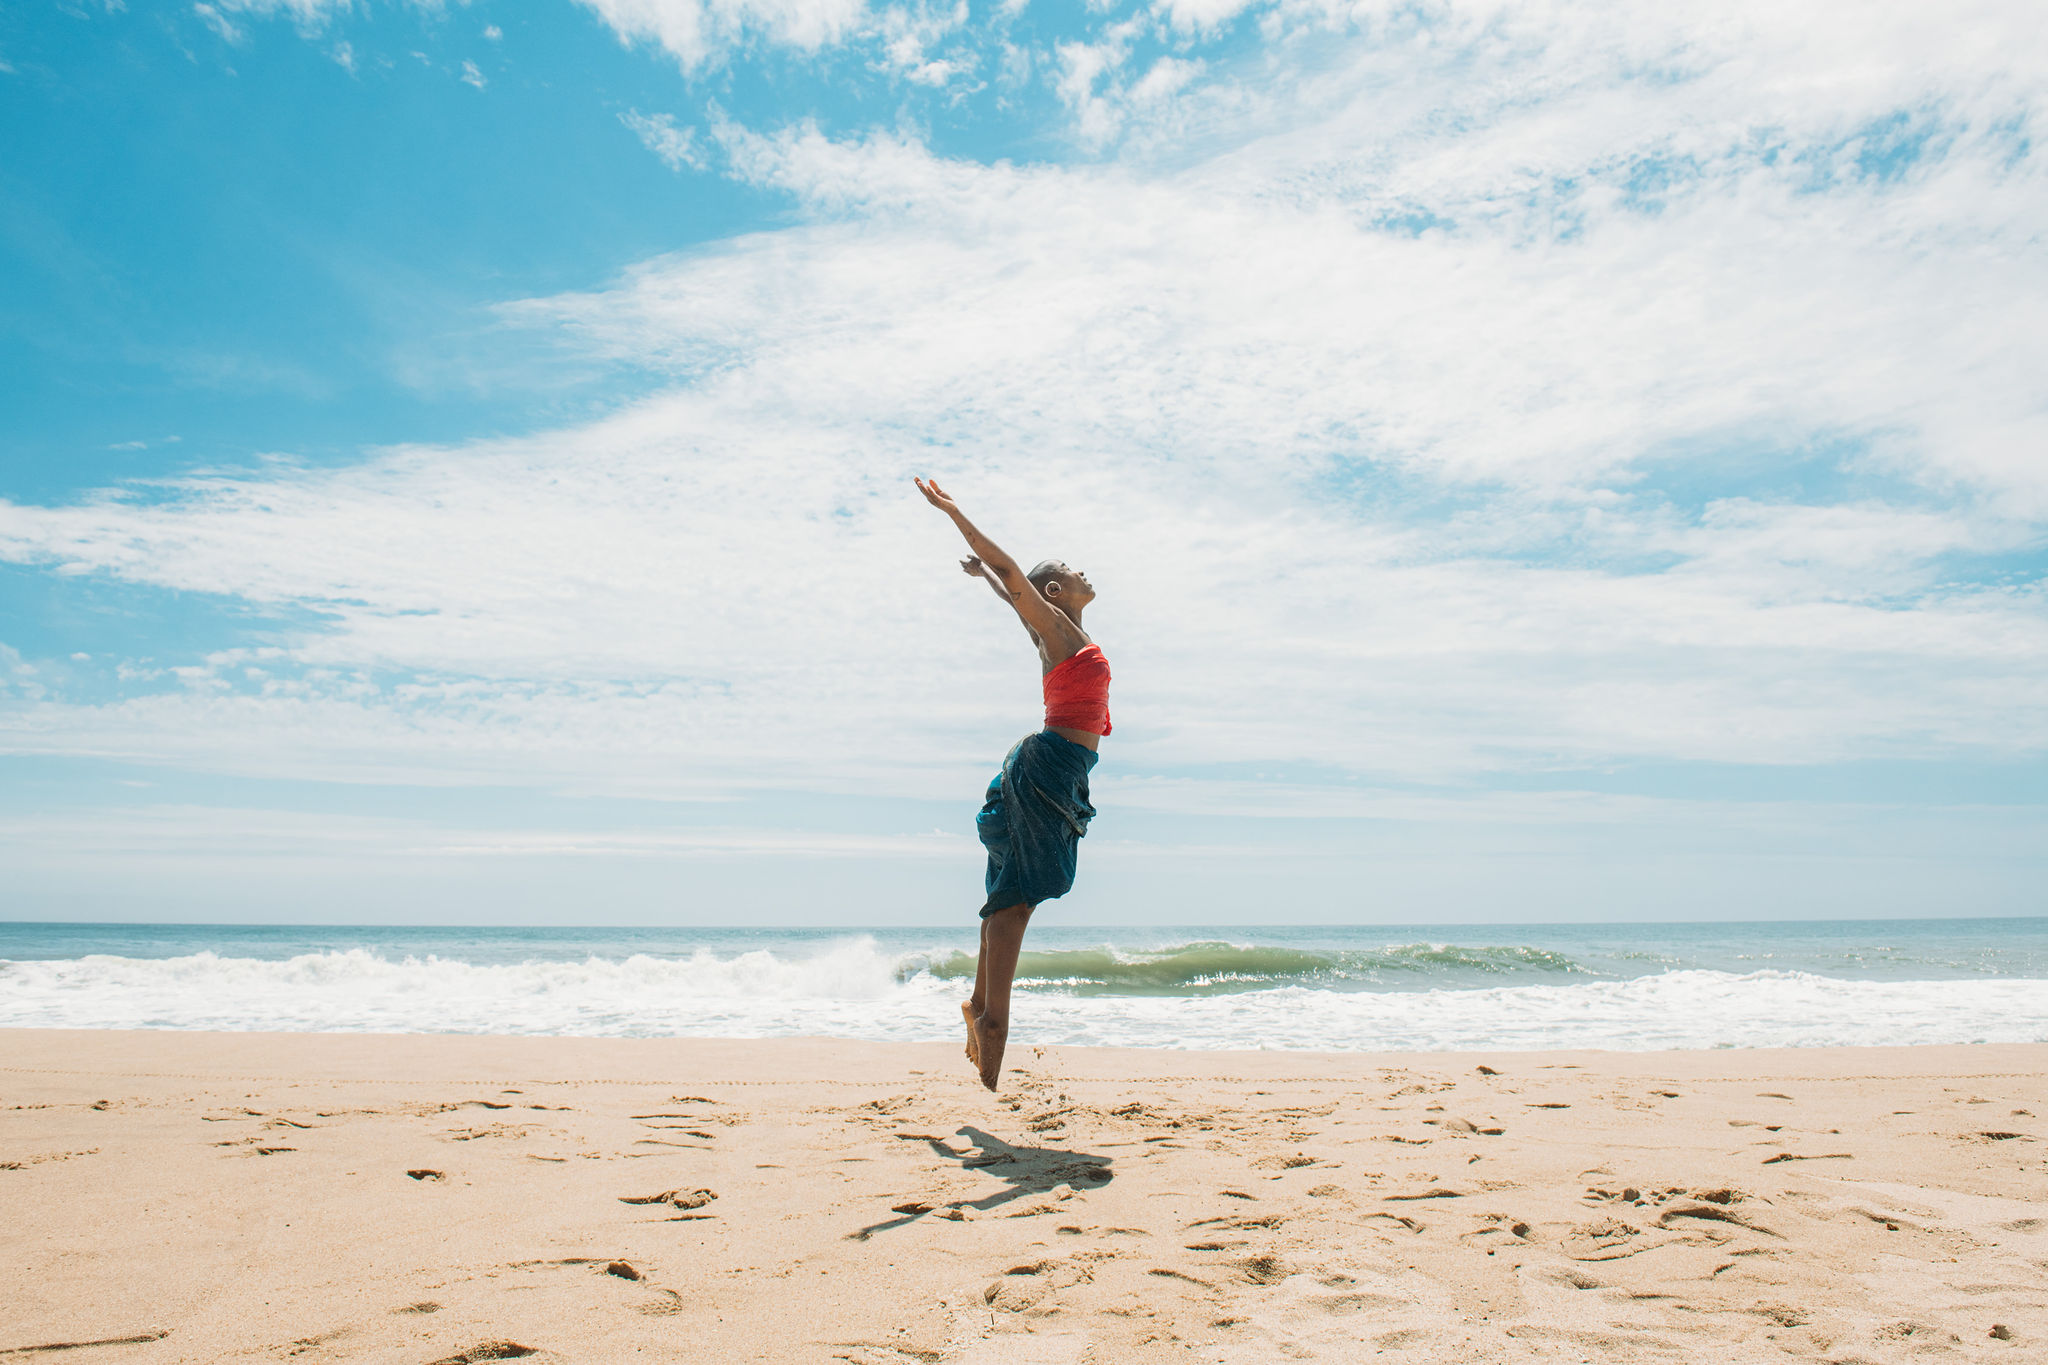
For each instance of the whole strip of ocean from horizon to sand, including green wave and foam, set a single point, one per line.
(1369, 987)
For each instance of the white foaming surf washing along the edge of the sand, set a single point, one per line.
(855, 989)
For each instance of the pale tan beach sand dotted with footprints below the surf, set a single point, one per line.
(433, 1198)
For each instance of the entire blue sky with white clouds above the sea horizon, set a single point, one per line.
(1541, 461)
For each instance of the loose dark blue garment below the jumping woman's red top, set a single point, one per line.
(1033, 822)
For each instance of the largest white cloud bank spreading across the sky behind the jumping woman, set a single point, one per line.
(1431, 429)
